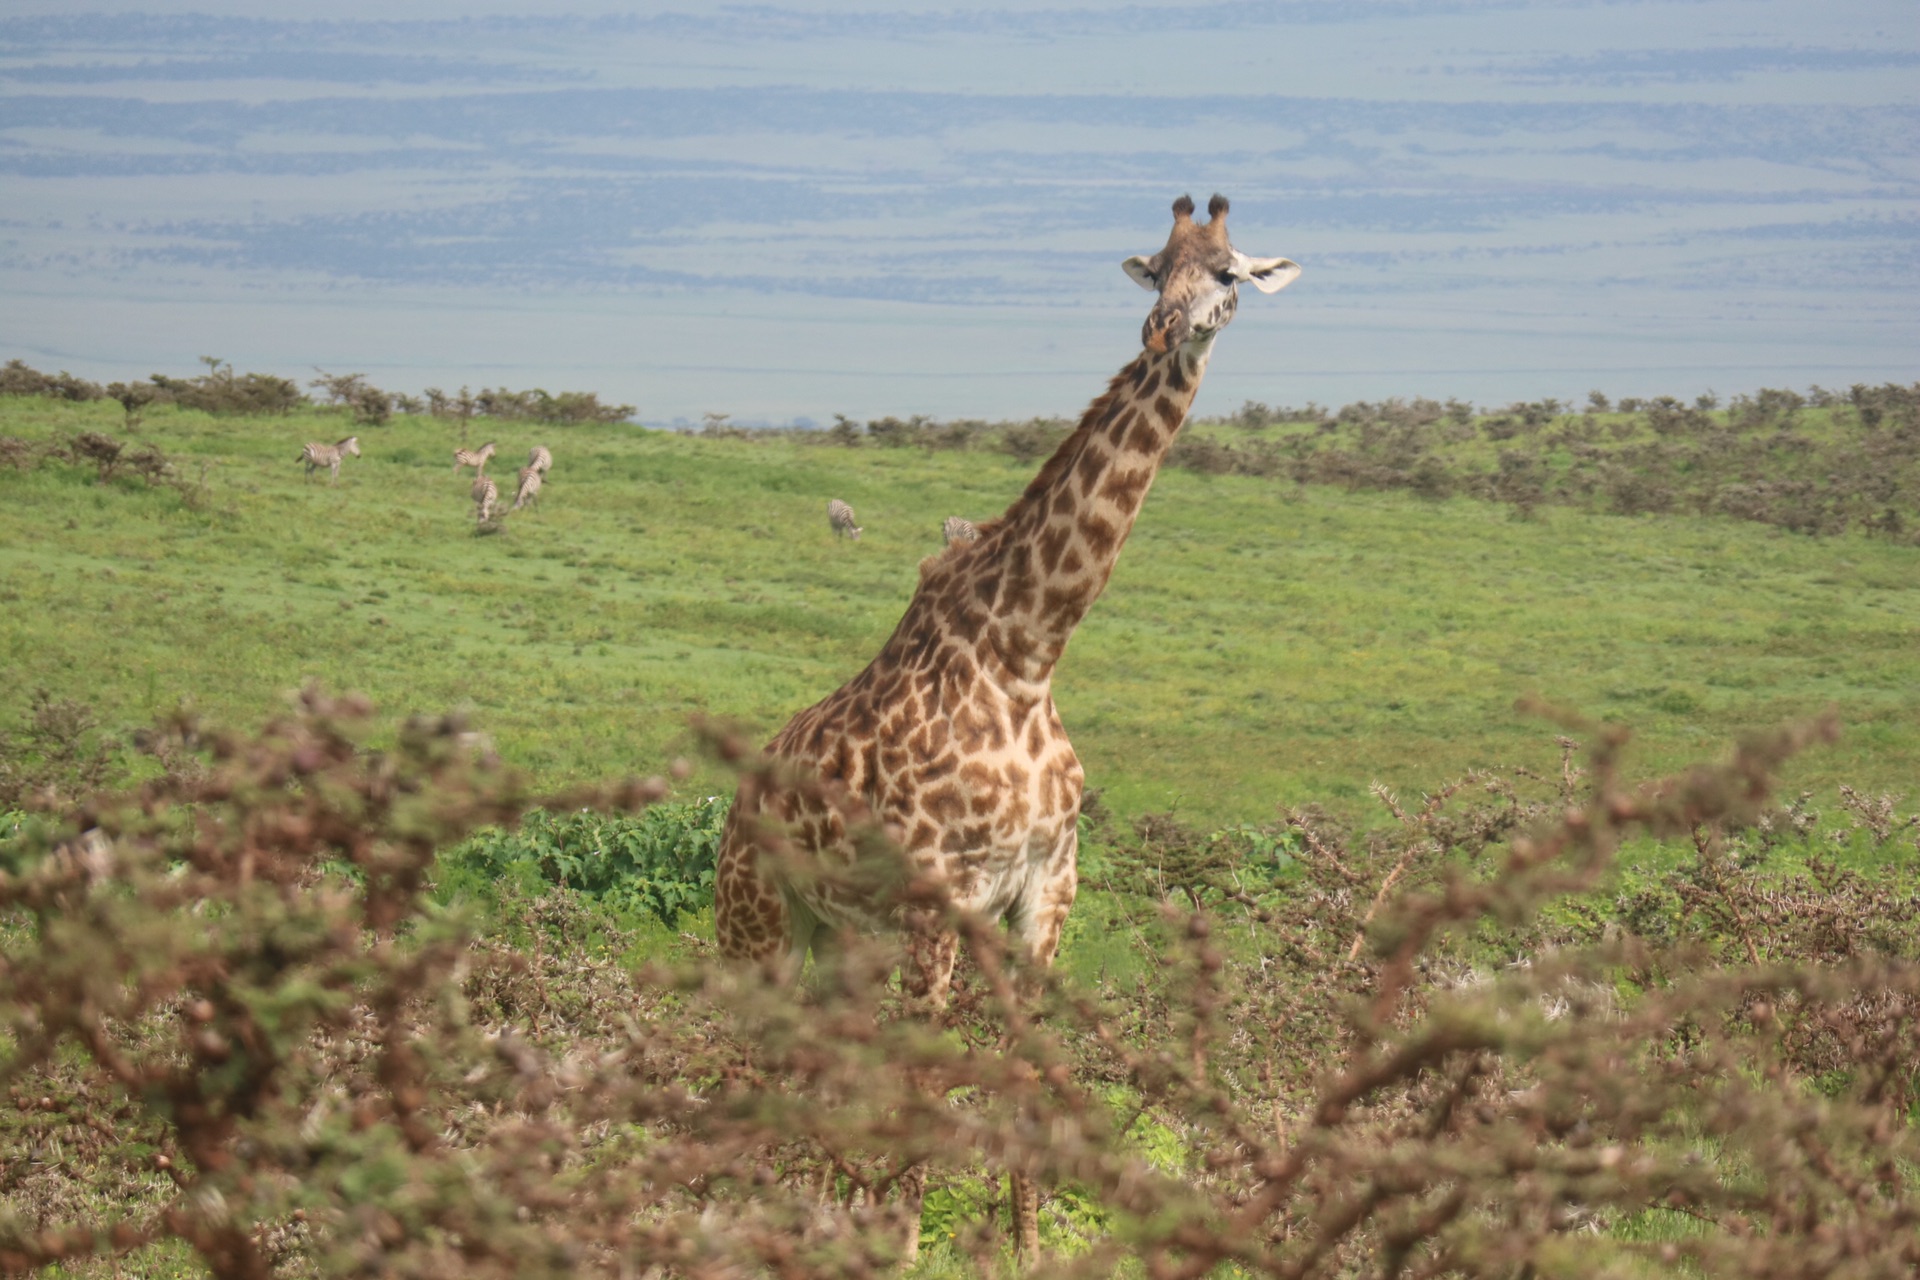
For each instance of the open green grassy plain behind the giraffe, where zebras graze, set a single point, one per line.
(1260, 644)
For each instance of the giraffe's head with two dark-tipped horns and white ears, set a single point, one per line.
(1199, 277)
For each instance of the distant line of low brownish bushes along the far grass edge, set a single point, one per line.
(1812, 463)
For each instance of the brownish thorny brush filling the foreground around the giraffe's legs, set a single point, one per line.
(235, 1020)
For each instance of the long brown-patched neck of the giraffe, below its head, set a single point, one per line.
(1049, 557)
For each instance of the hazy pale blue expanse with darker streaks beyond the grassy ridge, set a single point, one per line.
(794, 210)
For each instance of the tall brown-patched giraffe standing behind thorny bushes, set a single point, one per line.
(949, 738)
